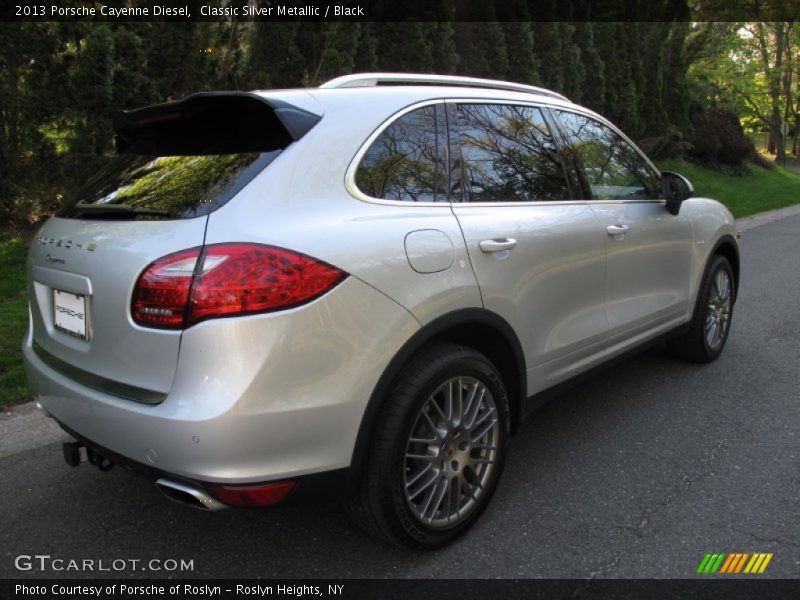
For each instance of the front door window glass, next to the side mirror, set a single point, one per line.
(613, 169)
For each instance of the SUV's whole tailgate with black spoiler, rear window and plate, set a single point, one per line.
(178, 163)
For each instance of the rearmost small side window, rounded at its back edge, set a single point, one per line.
(406, 161)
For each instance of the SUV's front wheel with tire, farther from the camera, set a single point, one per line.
(702, 343)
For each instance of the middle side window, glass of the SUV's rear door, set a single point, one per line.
(508, 154)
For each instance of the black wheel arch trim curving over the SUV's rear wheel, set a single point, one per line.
(477, 328)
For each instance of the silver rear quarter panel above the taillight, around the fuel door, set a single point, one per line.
(365, 239)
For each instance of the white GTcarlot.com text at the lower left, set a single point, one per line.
(46, 562)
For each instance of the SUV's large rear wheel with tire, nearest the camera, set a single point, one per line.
(419, 450)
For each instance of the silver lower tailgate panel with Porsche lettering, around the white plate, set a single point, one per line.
(103, 259)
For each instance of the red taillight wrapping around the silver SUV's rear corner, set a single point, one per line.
(224, 280)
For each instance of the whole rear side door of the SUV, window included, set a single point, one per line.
(538, 254)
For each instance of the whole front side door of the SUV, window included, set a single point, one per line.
(649, 250)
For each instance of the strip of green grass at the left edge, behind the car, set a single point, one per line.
(13, 318)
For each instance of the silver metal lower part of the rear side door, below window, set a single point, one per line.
(549, 287)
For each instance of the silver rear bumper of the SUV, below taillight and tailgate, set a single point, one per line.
(255, 399)
